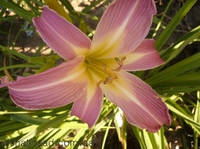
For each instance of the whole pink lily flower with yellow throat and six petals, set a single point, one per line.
(98, 67)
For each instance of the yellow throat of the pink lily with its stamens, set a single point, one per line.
(104, 70)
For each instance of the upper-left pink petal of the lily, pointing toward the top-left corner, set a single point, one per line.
(60, 35)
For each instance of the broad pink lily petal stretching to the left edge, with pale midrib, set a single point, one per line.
(56, 87)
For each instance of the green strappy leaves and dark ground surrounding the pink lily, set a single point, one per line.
(176, 29)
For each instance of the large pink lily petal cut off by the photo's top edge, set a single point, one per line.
(125, 21)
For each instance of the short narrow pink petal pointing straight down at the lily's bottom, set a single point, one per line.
(88, 107)
